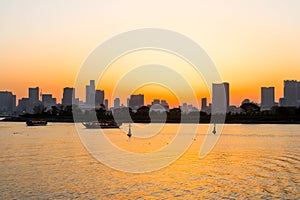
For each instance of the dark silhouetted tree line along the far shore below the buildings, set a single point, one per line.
(250, 113)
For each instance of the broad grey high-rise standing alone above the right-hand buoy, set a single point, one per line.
(220, 97)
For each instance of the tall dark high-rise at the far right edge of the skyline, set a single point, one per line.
(291, 93)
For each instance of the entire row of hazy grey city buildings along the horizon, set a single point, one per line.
(96, 99)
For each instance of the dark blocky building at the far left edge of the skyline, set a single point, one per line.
(7, 102)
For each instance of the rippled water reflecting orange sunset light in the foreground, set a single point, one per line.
(248, 161)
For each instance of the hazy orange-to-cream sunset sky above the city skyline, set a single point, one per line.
(252, 43)
